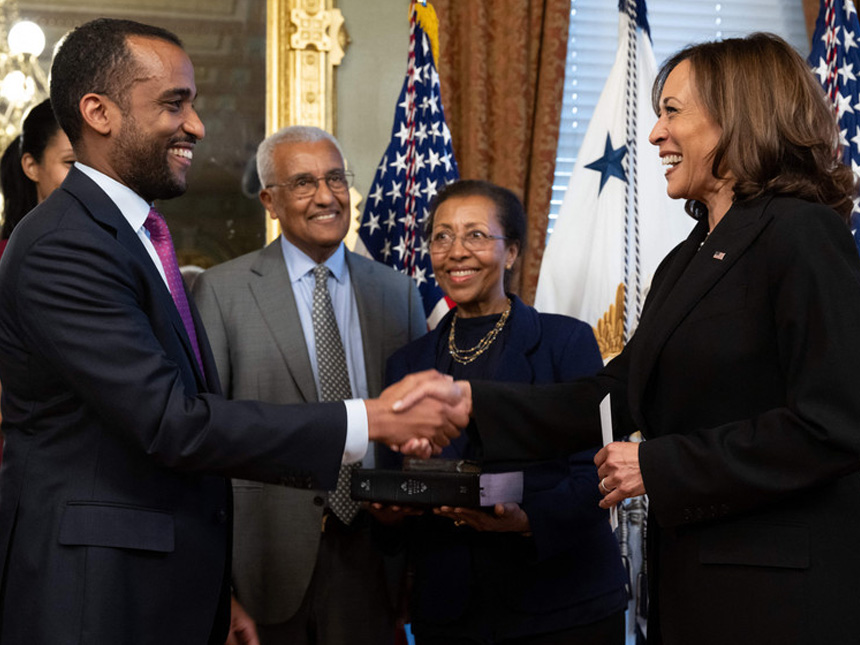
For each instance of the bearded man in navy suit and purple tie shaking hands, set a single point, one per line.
(115, 510)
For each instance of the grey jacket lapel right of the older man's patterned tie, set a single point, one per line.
(370, 301)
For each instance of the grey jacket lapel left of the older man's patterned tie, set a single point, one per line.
(273, 293)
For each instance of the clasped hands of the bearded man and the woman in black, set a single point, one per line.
(420, 414)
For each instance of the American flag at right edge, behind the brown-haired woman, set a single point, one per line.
(835, 57)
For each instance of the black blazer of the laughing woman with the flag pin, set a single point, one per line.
(742, 376)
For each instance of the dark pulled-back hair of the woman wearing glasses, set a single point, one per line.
(509, 210)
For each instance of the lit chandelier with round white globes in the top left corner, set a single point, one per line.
(23, 82)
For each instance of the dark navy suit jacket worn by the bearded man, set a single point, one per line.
(115, 510)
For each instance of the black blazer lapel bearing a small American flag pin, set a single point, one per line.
(693, 273)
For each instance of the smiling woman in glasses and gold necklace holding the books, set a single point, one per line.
(547, 570)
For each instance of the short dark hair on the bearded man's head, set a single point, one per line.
(95, 58)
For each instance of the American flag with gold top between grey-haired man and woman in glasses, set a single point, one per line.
(419, 161)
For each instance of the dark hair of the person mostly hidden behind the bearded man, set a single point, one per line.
(19, 191)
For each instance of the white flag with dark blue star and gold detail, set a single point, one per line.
(616, 222)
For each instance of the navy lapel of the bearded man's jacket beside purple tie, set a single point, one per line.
(103, 209)
